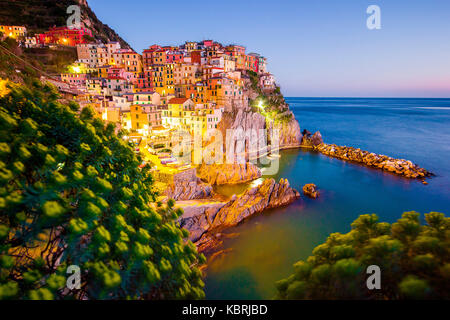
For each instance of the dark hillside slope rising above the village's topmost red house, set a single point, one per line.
(38, 16)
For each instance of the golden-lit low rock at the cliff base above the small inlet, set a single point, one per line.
(217, 174)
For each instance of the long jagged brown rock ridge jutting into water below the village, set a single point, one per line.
(205, 221)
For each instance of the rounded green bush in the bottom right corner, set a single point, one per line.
(414, 260)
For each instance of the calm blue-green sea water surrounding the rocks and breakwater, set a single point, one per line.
(268, 244)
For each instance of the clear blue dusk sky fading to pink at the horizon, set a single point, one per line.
(314, 48)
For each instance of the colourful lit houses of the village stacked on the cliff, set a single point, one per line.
(156, 94)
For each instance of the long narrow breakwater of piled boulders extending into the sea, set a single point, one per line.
(401, 167)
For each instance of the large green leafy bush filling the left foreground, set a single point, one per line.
(71, 193)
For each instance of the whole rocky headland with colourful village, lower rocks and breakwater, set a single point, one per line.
(171, 96)
